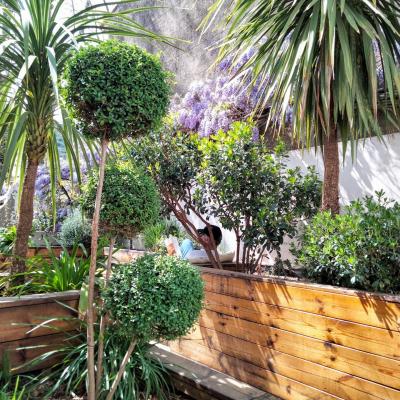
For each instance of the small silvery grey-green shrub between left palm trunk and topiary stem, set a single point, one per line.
(75, 230)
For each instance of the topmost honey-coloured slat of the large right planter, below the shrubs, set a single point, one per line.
(360, 308)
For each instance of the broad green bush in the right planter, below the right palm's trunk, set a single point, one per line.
(359, 249)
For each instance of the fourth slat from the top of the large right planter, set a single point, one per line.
(343, 385)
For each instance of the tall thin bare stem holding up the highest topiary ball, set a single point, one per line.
(92, 275)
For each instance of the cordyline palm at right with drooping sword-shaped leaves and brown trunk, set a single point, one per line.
(336, 63)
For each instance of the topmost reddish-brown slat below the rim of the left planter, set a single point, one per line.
(18, 321)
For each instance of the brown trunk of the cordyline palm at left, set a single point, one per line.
(25, 219)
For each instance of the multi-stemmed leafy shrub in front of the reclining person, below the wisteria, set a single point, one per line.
(235, 177)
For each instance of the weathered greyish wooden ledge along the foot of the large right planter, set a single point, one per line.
(204, 383)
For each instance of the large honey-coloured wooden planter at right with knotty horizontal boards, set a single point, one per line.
(296, 340)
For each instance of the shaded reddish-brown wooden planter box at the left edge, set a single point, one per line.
(18, 315)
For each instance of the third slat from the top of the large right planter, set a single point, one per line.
(378, 369)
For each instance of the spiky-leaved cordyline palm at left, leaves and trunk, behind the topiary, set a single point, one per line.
(36, 42)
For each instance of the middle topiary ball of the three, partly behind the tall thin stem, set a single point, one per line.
(129, 203)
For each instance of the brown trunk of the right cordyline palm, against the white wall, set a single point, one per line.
(330, 192)
